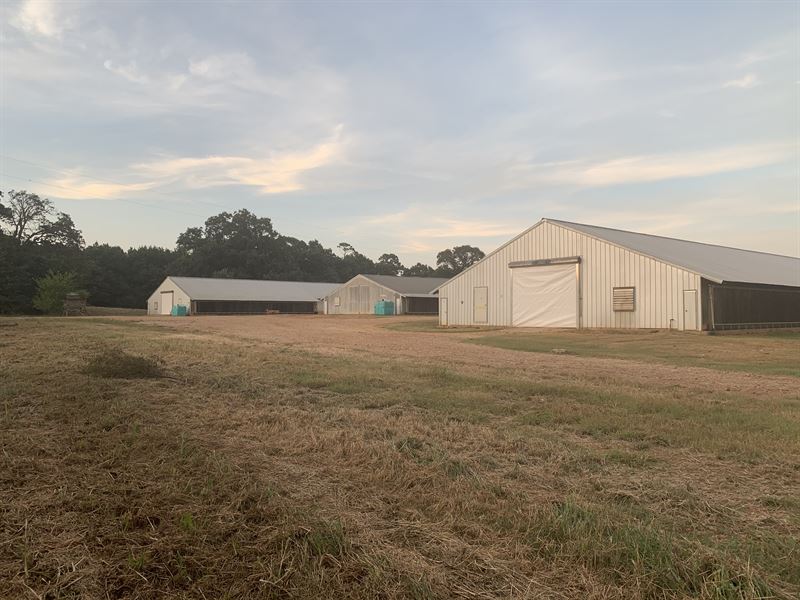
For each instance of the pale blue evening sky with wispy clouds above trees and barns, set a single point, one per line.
(407, 127)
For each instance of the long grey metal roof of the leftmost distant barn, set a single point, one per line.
(206, 288)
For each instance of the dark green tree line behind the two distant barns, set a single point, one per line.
(43, 254)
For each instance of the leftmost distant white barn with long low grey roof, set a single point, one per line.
(203, 295)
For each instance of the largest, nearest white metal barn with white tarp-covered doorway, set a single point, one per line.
(562, 274)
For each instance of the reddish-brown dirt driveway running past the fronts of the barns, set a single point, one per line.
(356, 335)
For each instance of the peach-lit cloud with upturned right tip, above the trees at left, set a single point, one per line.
(275, 174)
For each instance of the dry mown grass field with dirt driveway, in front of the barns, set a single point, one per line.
(260, 457)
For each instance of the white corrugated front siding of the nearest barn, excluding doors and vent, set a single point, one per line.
(659, 286)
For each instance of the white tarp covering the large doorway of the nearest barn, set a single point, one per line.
(545, 296)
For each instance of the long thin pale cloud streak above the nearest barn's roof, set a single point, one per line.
(657, 167)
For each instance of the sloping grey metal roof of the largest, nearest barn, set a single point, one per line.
(716, 263)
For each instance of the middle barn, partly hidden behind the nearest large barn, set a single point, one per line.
(410, 295)
